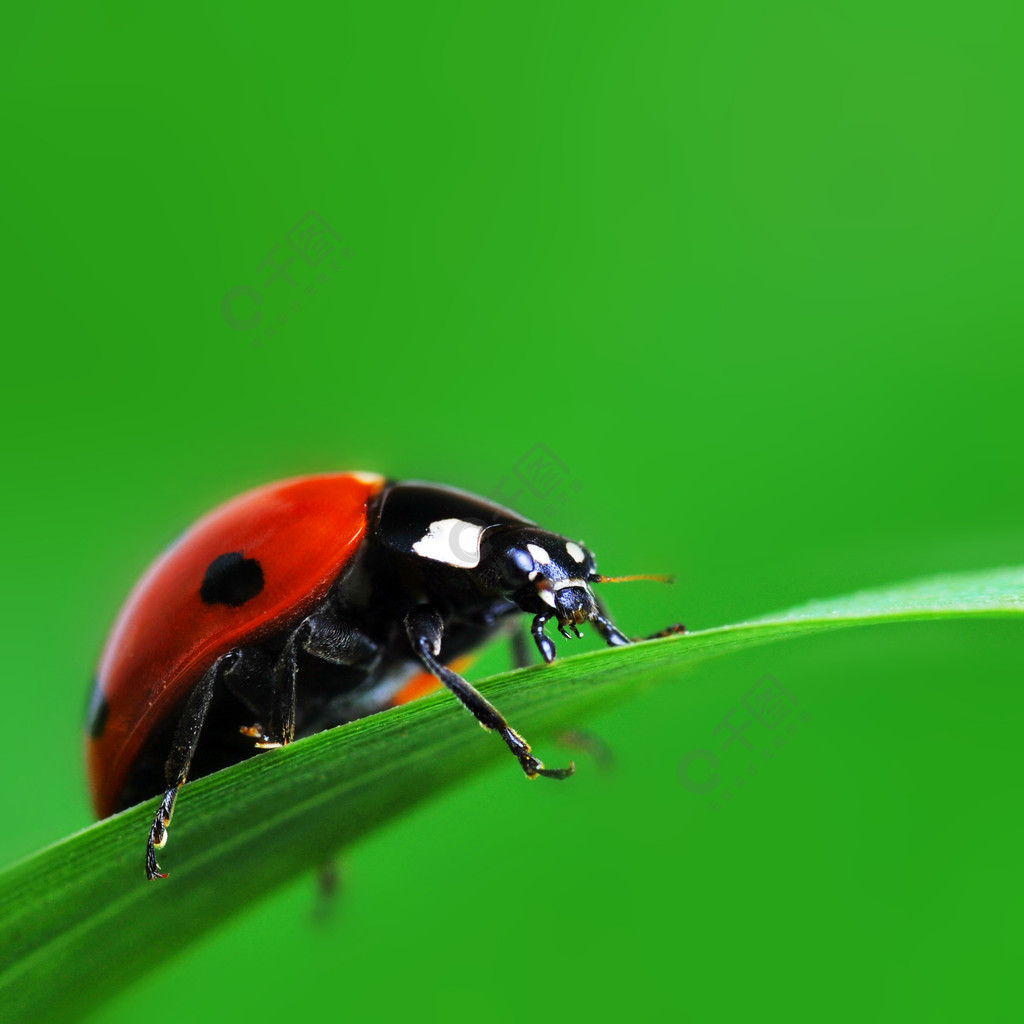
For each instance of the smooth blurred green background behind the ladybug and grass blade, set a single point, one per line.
(751, 272)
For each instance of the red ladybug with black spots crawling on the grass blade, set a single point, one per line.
(312, 603)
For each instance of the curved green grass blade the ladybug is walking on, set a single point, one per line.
(78, 921)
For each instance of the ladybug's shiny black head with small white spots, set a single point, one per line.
(542, 573)
